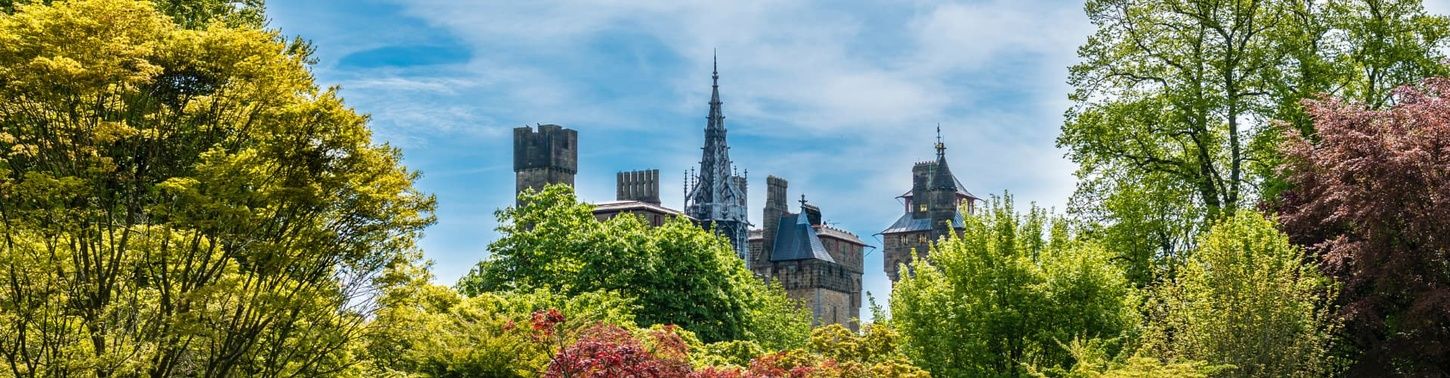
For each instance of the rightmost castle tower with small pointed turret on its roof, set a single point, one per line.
(935, 208)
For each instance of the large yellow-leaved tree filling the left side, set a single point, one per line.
(181, 202)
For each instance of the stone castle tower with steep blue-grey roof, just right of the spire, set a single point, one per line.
(817, 264)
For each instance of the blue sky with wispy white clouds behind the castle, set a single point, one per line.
(839, 98)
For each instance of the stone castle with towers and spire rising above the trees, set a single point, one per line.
(817, 264)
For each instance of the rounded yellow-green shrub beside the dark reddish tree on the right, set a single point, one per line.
(1245, 299)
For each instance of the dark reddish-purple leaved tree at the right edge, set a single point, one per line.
(1370, 199)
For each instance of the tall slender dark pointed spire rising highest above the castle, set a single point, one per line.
(716, 196)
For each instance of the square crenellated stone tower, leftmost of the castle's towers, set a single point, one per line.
(549, 156)
